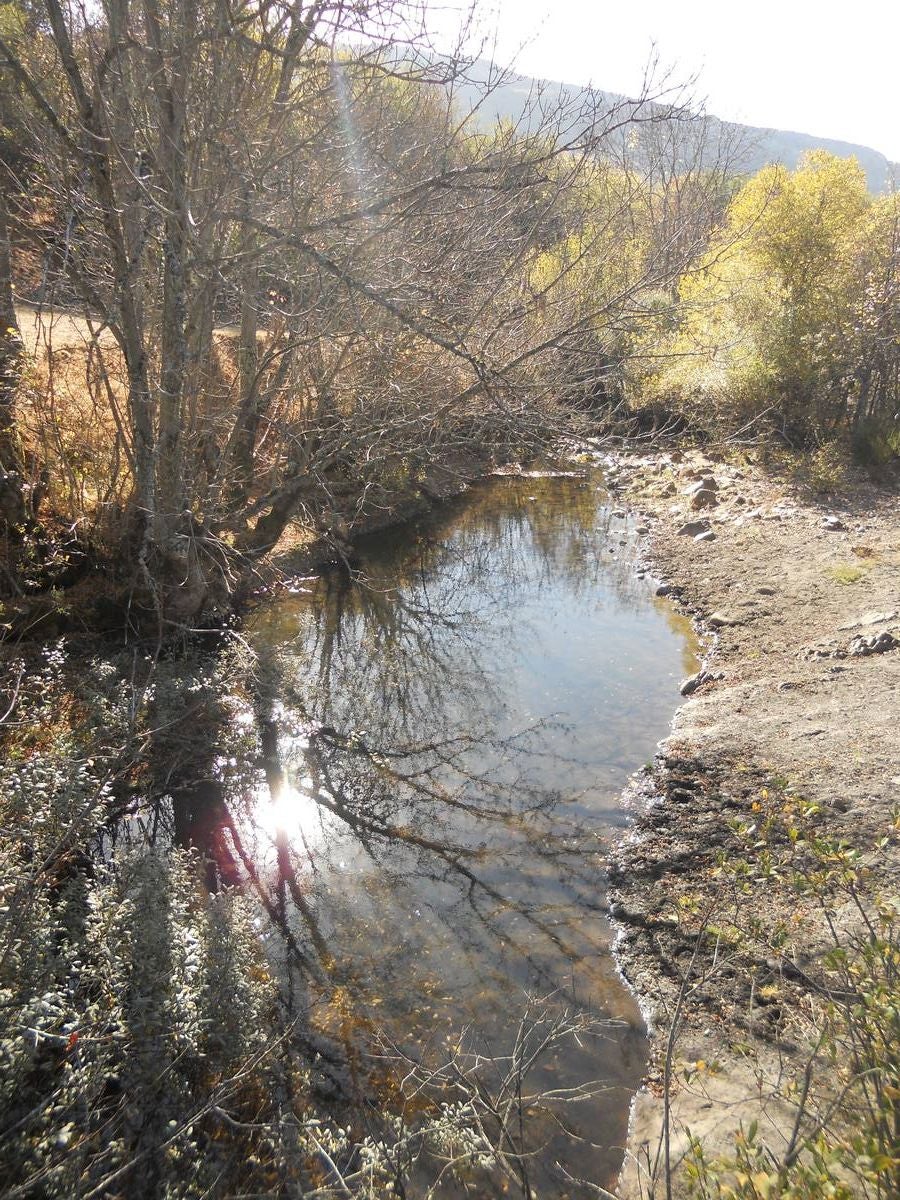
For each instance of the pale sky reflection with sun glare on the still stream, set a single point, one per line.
(503, 659)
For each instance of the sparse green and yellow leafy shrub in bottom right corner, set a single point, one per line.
(837, 1132)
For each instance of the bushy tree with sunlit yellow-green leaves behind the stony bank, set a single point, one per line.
(773, 320)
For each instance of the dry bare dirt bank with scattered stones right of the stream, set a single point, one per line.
(801, 605)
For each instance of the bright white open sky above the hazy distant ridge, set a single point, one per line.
(814, 67)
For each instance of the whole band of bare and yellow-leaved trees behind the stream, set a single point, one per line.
(293, 283)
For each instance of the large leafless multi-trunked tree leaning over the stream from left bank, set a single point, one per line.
(304, 173)
